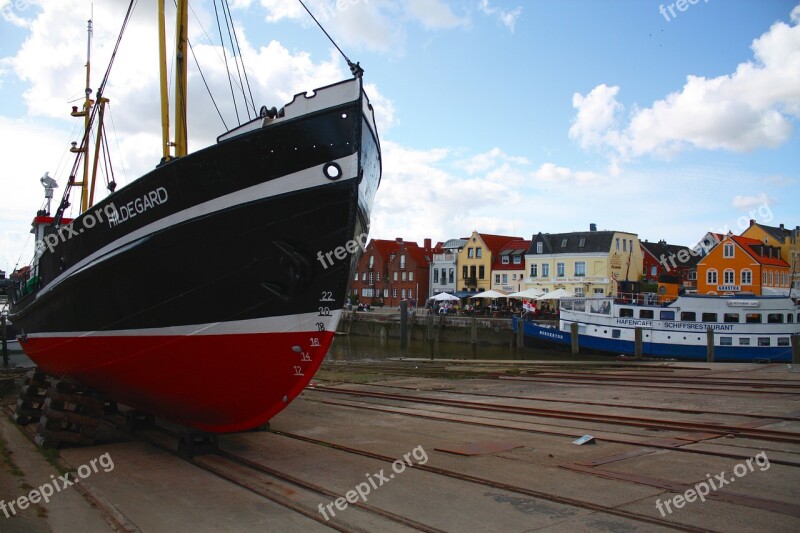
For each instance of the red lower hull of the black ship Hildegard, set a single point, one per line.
(216, 383)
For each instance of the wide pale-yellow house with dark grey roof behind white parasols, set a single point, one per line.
(585, 263)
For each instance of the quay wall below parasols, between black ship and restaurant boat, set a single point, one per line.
(466, 330)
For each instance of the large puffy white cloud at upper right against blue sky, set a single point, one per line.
(750, 109)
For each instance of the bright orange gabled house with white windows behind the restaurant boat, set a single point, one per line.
(742, 264)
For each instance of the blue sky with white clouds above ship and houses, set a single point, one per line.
(497, 116)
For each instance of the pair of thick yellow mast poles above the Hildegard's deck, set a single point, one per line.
(181, 40)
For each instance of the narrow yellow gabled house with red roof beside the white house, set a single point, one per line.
(474, 261)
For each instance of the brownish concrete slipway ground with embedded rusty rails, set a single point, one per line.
(488, 446)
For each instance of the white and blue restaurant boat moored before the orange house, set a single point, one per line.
(744, 328)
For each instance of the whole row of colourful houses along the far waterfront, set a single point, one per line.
(762, 260)
